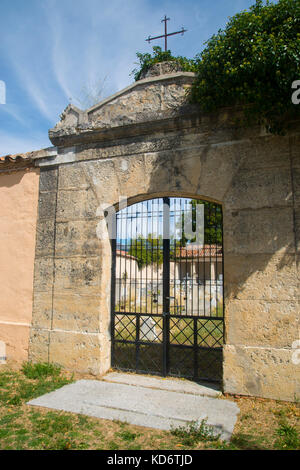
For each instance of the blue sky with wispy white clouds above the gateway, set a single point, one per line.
(50, 50)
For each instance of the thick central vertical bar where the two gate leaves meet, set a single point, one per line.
(166, 282)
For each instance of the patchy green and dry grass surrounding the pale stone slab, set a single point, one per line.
(262, 424)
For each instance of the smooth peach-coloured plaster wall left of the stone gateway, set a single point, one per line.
(18, 213)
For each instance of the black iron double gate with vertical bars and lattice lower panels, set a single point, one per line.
(167, 289)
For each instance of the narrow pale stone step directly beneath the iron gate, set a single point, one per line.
(172, 384)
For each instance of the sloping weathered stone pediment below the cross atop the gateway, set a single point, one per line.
(153, 98)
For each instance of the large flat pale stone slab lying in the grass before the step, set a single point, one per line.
(142, 406)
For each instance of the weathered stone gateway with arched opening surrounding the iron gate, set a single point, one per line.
(146, 142)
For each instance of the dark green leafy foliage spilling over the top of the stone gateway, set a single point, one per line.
(252, 63)
